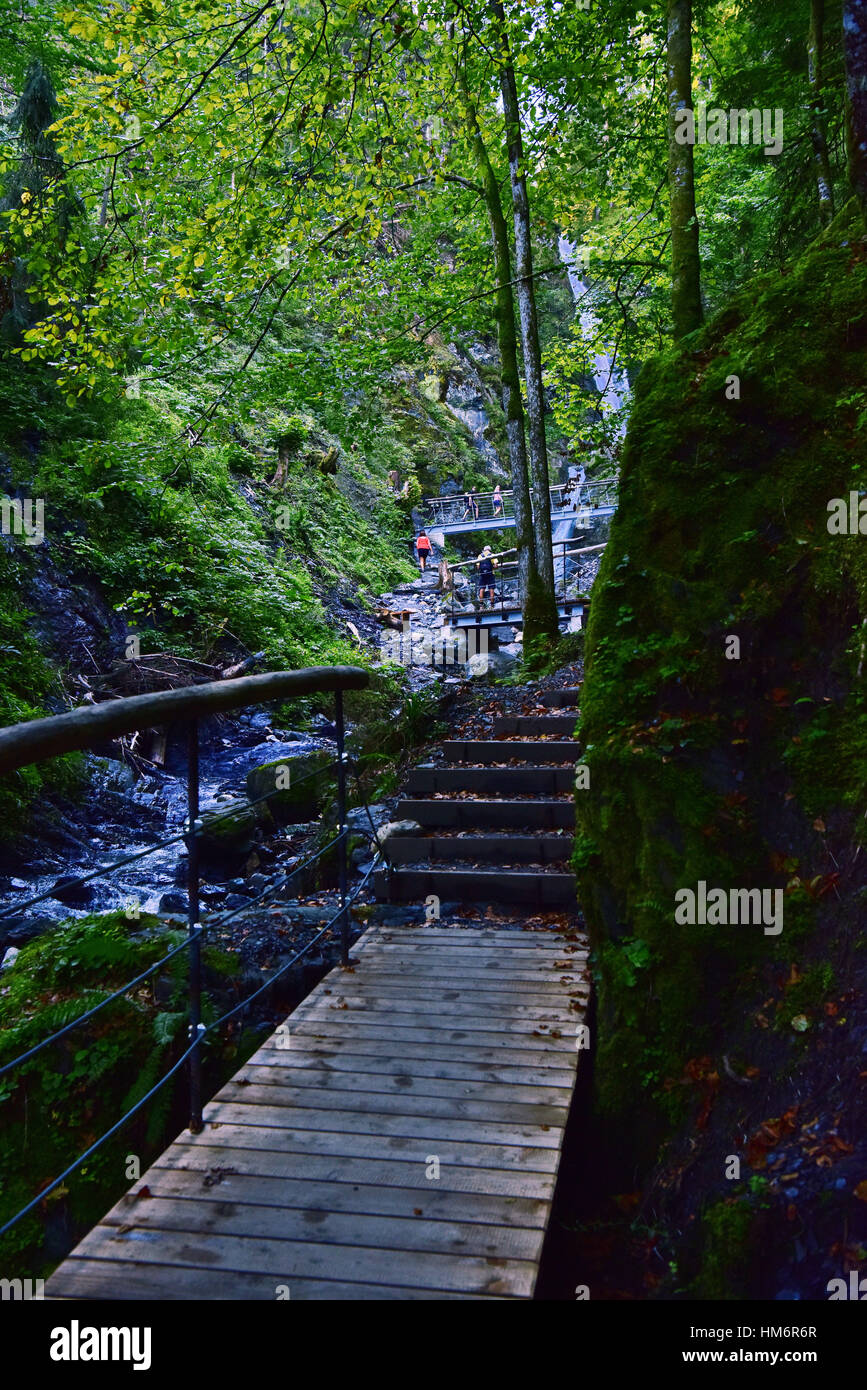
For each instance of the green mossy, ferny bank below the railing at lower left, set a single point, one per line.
(59, 1102)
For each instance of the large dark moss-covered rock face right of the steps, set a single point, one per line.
(723, 710)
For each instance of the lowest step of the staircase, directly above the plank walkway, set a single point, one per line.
(541, 890)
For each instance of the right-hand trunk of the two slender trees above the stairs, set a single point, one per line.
(541, 608)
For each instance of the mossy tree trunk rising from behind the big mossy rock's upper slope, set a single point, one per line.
(686, 263)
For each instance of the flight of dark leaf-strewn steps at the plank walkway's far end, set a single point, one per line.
(495, 817)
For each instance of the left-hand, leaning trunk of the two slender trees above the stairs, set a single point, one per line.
(513, 407)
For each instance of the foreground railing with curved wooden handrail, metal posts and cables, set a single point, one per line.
(91, 726)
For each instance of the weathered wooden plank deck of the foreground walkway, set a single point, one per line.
(311, 1179)
